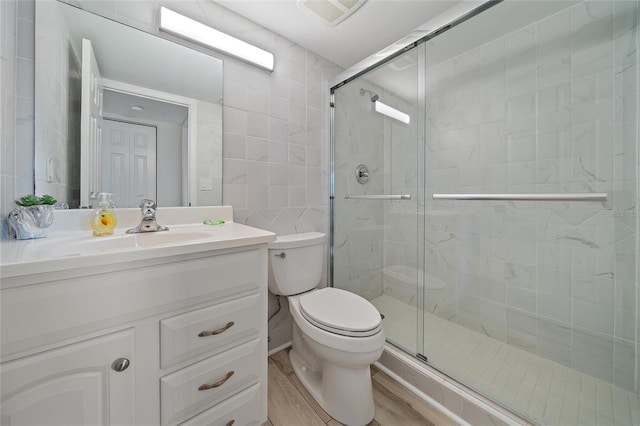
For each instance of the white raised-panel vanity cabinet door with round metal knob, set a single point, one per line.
(71, 385)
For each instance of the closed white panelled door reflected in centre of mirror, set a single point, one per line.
(128, 162)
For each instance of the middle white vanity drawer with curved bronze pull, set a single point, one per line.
(204, 384)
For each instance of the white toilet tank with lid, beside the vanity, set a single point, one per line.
(295, 263)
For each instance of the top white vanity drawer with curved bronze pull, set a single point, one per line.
(214, 328)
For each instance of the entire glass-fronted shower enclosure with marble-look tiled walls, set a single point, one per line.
(496, 230)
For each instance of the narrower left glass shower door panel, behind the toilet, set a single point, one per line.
(378, 186)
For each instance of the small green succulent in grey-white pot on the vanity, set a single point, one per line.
(32, 216)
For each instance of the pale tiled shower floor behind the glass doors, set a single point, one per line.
(542, 390)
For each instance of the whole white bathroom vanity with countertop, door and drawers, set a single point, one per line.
(161, 329)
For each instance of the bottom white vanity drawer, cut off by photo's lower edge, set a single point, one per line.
(239, 410)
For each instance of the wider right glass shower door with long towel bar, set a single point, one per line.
(534, 302)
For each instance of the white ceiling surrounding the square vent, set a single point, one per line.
(373, 27)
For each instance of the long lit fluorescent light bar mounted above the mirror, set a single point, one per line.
(179, 25)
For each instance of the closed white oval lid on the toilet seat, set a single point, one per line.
(340, 312)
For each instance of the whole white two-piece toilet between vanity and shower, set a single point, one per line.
(337, 335)
